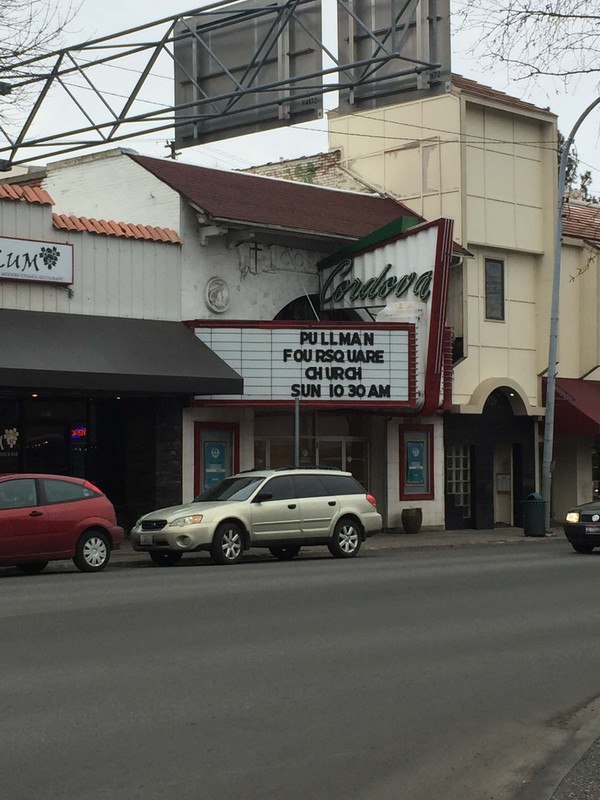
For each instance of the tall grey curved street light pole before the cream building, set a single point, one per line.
(553, 347)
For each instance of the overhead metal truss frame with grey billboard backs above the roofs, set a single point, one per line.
(239, 67)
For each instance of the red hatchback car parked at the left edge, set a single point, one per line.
(49, 517)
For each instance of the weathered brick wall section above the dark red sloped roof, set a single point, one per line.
(322, 169)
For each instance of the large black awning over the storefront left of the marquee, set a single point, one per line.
(72, 352)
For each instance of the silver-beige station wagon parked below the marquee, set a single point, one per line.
(281, 510)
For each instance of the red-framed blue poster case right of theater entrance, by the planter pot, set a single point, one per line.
(416, 462)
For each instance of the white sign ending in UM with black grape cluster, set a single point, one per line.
(38, 261)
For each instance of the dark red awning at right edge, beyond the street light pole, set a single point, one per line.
(577, 406)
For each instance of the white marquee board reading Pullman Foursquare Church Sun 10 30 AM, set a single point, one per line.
(320, 364)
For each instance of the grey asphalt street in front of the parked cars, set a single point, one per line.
(418, 670)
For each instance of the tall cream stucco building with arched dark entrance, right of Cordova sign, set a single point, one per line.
(488, 161)
